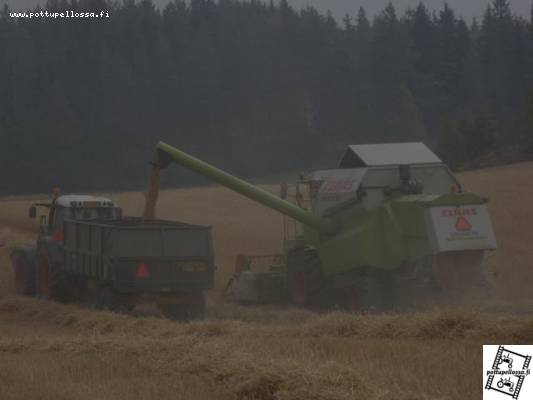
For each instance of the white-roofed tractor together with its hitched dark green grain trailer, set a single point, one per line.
(87, 252)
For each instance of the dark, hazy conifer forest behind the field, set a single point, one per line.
(255, 88)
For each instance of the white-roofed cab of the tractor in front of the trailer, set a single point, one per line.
(76, 207)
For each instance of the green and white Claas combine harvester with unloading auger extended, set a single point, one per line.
(389, 228)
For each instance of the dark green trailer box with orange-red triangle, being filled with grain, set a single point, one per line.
(141, 256)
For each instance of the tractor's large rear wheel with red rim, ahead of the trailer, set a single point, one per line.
(51, 282)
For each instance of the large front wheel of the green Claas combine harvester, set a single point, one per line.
(304, 277)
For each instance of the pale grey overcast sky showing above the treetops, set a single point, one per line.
(465, 8)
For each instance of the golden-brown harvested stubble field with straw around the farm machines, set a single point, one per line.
(53, 351)
